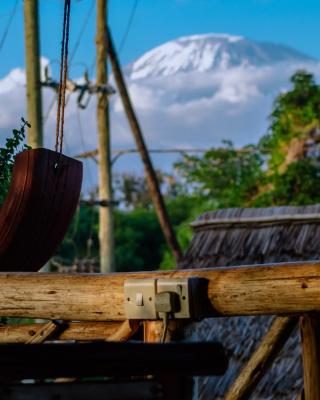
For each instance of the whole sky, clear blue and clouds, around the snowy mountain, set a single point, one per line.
(166, 122)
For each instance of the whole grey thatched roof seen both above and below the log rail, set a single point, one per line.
(252, 236)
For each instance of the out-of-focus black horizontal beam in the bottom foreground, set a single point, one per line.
(19, 361)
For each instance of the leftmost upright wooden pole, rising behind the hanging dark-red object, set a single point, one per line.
(34, 100)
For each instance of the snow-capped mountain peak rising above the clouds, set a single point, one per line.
(209, 52)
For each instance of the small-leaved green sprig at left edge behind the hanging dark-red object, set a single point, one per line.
(13, 146)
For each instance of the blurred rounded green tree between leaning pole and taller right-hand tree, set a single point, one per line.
(225, 175)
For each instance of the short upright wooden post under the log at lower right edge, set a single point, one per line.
(310, 341)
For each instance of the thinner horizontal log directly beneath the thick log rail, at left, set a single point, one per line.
(80, 331)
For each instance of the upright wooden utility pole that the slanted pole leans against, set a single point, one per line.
(106, 237)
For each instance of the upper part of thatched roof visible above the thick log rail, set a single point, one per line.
(239, 236)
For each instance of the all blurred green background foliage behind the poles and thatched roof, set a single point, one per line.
(282, 169)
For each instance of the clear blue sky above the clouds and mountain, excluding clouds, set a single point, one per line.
(295, 23)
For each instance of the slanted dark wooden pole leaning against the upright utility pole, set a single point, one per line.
(151, 176)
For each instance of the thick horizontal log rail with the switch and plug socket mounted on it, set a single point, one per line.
(288, 288)
